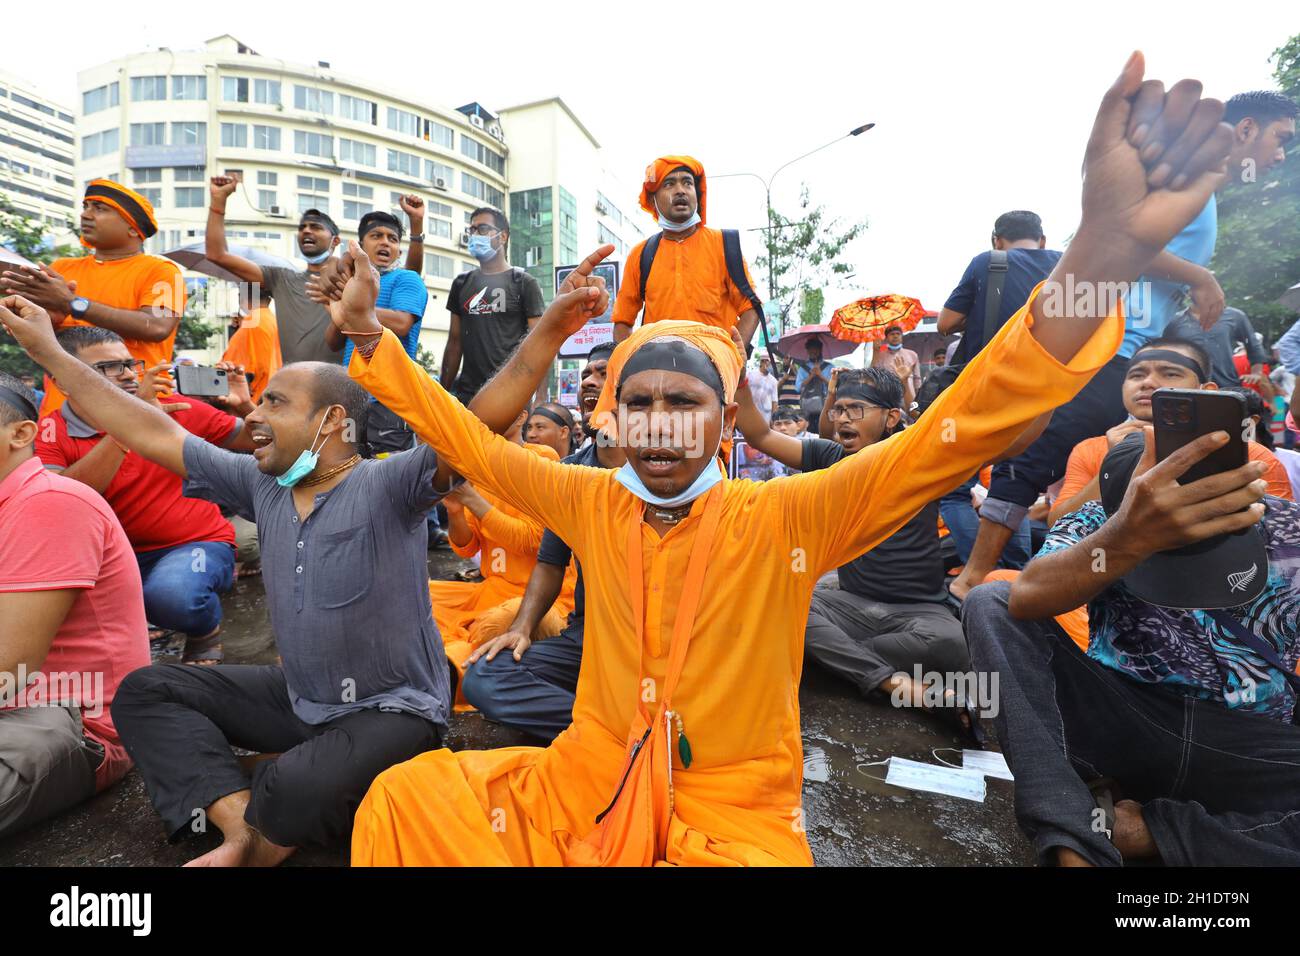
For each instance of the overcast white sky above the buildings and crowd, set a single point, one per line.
(981, 109)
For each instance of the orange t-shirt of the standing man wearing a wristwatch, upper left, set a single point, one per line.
(141, 282)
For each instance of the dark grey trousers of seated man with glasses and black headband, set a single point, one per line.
(868, 642)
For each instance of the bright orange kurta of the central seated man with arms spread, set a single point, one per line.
(740, 801)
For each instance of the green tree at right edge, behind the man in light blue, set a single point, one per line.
(1258, 257)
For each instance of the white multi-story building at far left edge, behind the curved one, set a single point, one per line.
(37, 158)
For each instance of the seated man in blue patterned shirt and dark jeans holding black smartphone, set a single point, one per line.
(1175, 736)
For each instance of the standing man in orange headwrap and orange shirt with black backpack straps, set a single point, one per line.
(690, 279)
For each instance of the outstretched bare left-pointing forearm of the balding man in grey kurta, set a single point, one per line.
(138, 426)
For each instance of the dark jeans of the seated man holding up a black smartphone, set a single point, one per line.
(1217, 789)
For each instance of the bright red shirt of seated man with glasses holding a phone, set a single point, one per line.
(146, 496)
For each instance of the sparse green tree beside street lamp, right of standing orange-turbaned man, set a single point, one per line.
(808, 257)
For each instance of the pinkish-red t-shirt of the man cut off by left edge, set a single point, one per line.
(58, 534)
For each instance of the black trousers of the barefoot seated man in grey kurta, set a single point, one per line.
(179, 723)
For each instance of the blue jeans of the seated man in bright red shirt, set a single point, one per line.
(183, 586)
